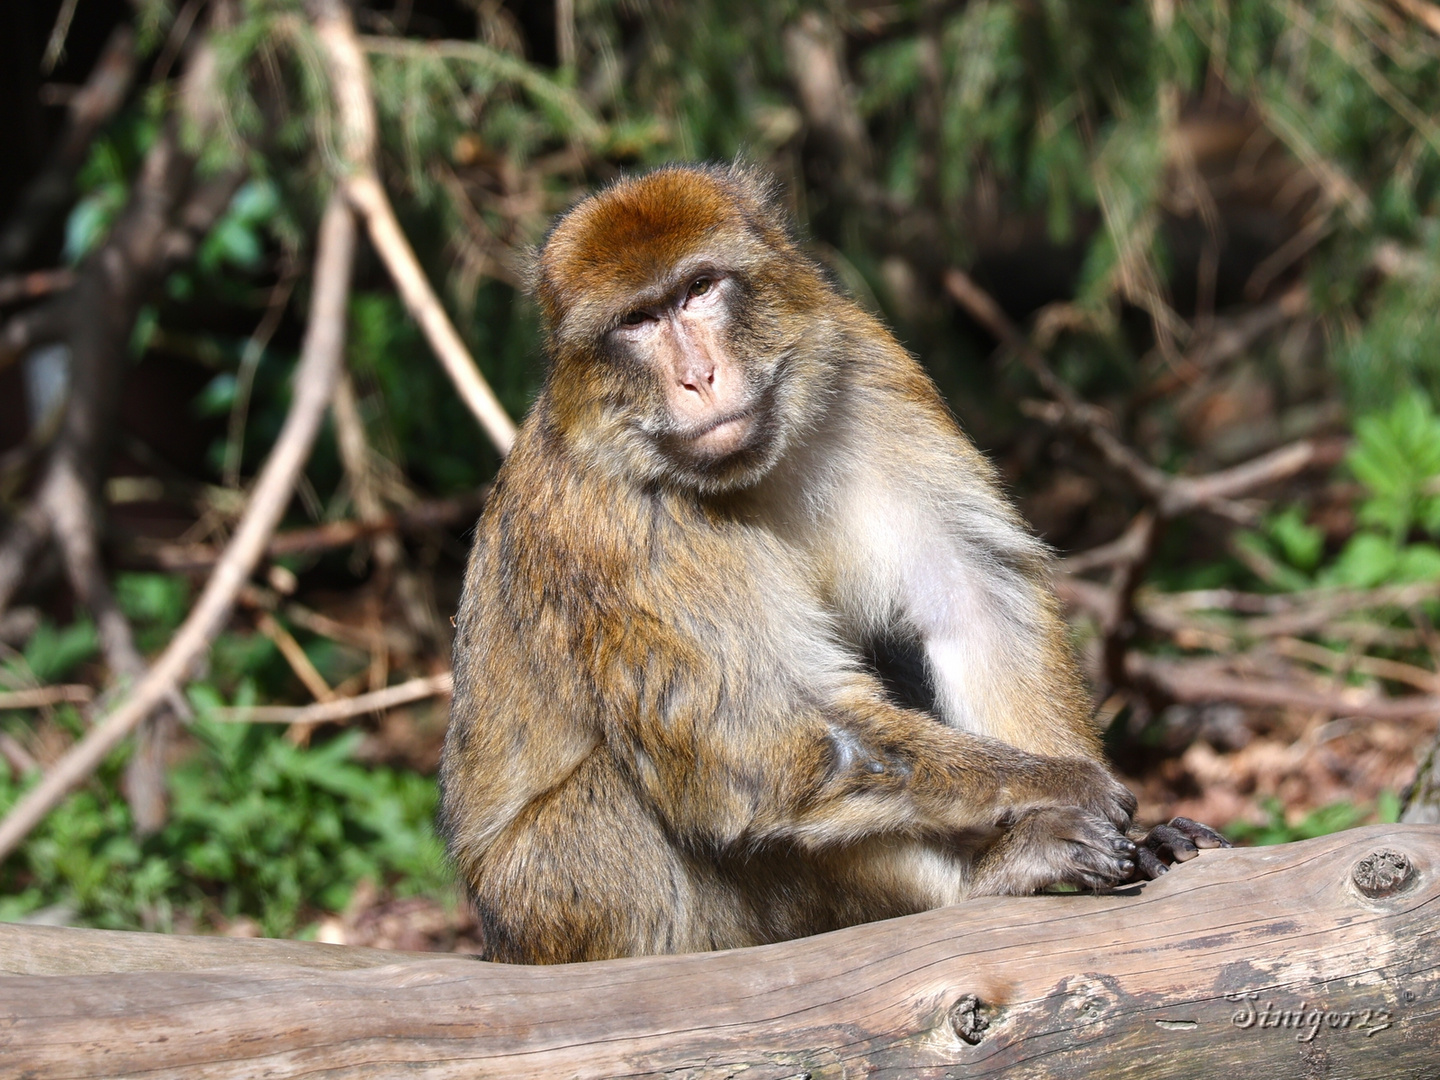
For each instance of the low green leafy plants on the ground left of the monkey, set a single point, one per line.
(258, 829)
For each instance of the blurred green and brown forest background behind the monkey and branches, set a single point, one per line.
(1216, 221)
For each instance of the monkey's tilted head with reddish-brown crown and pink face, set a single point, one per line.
(680, 316)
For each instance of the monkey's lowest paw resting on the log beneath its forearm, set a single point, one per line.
(1055, 846)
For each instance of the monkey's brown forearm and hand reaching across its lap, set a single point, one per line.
(862, 767)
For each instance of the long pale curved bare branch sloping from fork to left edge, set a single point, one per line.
(315, 384)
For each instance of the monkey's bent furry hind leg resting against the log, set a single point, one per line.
(587, 873)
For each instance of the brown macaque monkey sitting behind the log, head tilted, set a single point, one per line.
(752, 646)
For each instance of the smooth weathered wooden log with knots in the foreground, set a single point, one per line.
(1313, 960)
